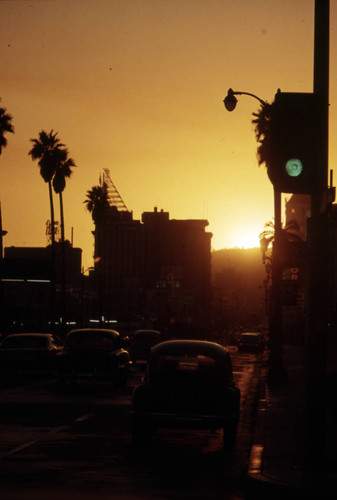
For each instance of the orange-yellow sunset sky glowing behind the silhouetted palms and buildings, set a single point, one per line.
(136, 86)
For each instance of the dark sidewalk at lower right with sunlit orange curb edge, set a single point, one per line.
(276, 466)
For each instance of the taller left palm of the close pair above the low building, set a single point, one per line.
(46, 149)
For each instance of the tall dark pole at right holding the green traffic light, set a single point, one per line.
(316, 339)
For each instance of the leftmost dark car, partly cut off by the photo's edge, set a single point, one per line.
(32, 353)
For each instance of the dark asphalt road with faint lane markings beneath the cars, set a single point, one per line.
(76, 444)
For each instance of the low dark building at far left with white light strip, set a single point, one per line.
(27, 274)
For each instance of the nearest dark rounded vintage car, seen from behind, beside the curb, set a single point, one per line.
(188, 384)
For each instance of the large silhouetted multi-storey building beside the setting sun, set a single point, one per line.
(156, 267)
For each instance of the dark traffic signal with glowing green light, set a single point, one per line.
(295, 136)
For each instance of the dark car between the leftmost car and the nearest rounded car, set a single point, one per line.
(95, 354)
